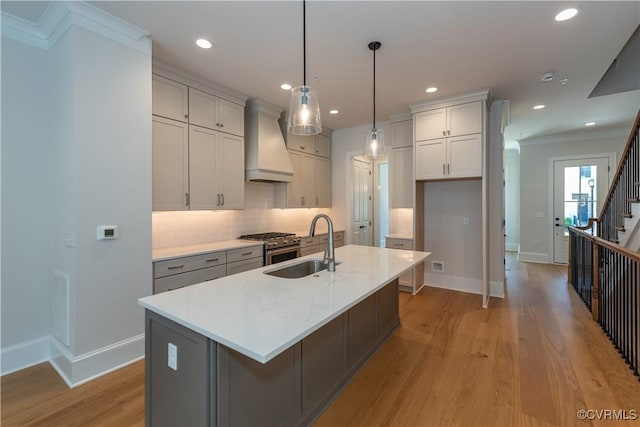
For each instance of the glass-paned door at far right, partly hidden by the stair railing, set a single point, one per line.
(579, 186)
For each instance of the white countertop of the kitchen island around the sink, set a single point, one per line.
(260, 315)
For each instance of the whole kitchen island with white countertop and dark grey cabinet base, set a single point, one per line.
(254, 349)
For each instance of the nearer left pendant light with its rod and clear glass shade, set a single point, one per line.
(304, 110)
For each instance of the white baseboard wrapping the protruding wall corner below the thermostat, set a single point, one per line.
(76, 370)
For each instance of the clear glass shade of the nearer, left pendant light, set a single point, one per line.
(304, 112)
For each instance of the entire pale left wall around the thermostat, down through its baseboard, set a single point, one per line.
(90, 155)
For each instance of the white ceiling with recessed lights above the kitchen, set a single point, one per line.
(457, 46)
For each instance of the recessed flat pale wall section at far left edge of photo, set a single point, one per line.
(26, 195)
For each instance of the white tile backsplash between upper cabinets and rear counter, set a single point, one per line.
(179, 228)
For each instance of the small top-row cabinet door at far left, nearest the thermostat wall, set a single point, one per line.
(169, 99)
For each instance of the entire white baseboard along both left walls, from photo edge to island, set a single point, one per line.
(74, 370)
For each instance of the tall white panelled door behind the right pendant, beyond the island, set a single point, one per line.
(361, 220)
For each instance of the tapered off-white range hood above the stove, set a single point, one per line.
(266, 156)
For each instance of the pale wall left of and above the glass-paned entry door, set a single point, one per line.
(535, 153)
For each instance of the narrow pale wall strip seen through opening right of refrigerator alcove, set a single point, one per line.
(512, 199)
